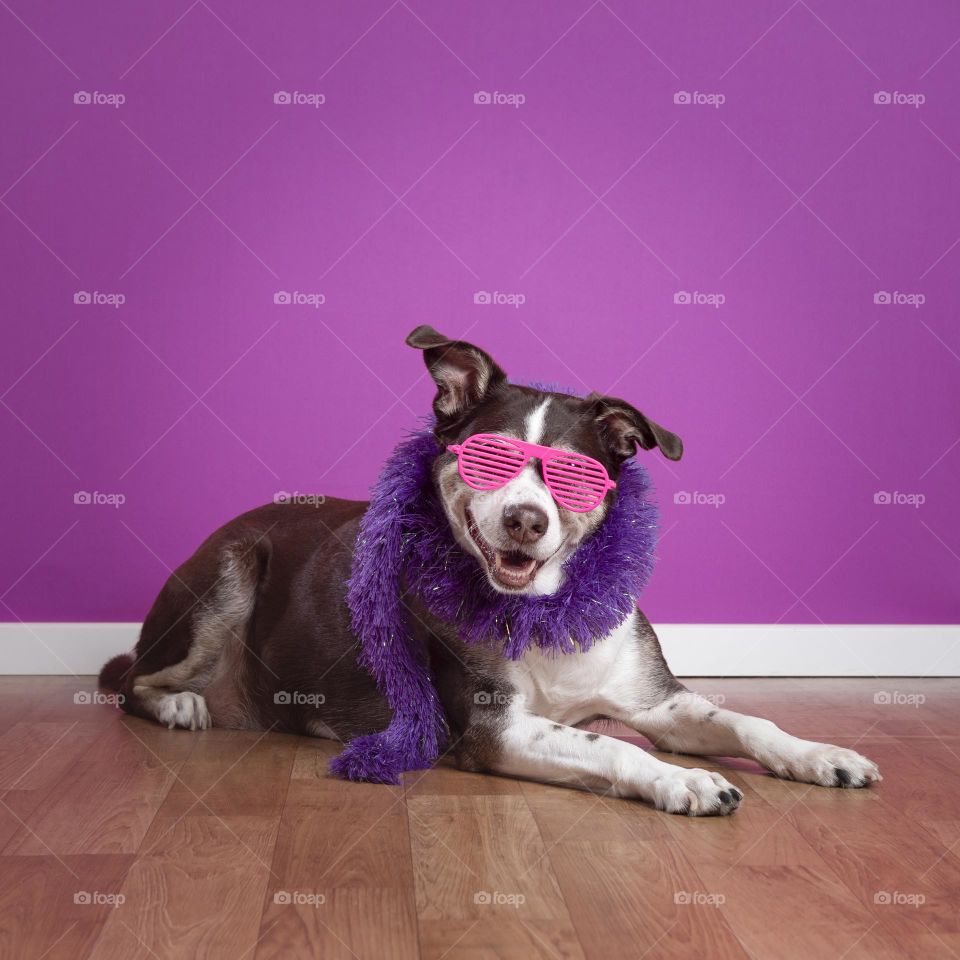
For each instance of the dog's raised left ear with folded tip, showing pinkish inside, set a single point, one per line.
(464, 374)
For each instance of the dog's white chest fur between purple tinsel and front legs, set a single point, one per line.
(573, 687)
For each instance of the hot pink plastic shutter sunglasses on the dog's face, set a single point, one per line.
(488, 461)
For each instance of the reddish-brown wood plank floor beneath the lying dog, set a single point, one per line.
(120, 839)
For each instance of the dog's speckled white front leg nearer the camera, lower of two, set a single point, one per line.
(535, 748)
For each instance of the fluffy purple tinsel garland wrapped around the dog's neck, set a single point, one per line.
(405, 542)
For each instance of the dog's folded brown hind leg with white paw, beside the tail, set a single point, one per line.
(194, 636)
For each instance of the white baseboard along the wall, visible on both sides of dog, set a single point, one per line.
(692, 649)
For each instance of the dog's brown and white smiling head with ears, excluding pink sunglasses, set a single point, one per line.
(518, 533)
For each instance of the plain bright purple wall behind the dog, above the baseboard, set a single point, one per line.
(798, 199)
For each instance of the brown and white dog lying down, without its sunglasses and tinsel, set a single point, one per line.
(259, 612)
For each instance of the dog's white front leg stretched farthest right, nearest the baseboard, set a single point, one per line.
(688, 723)
